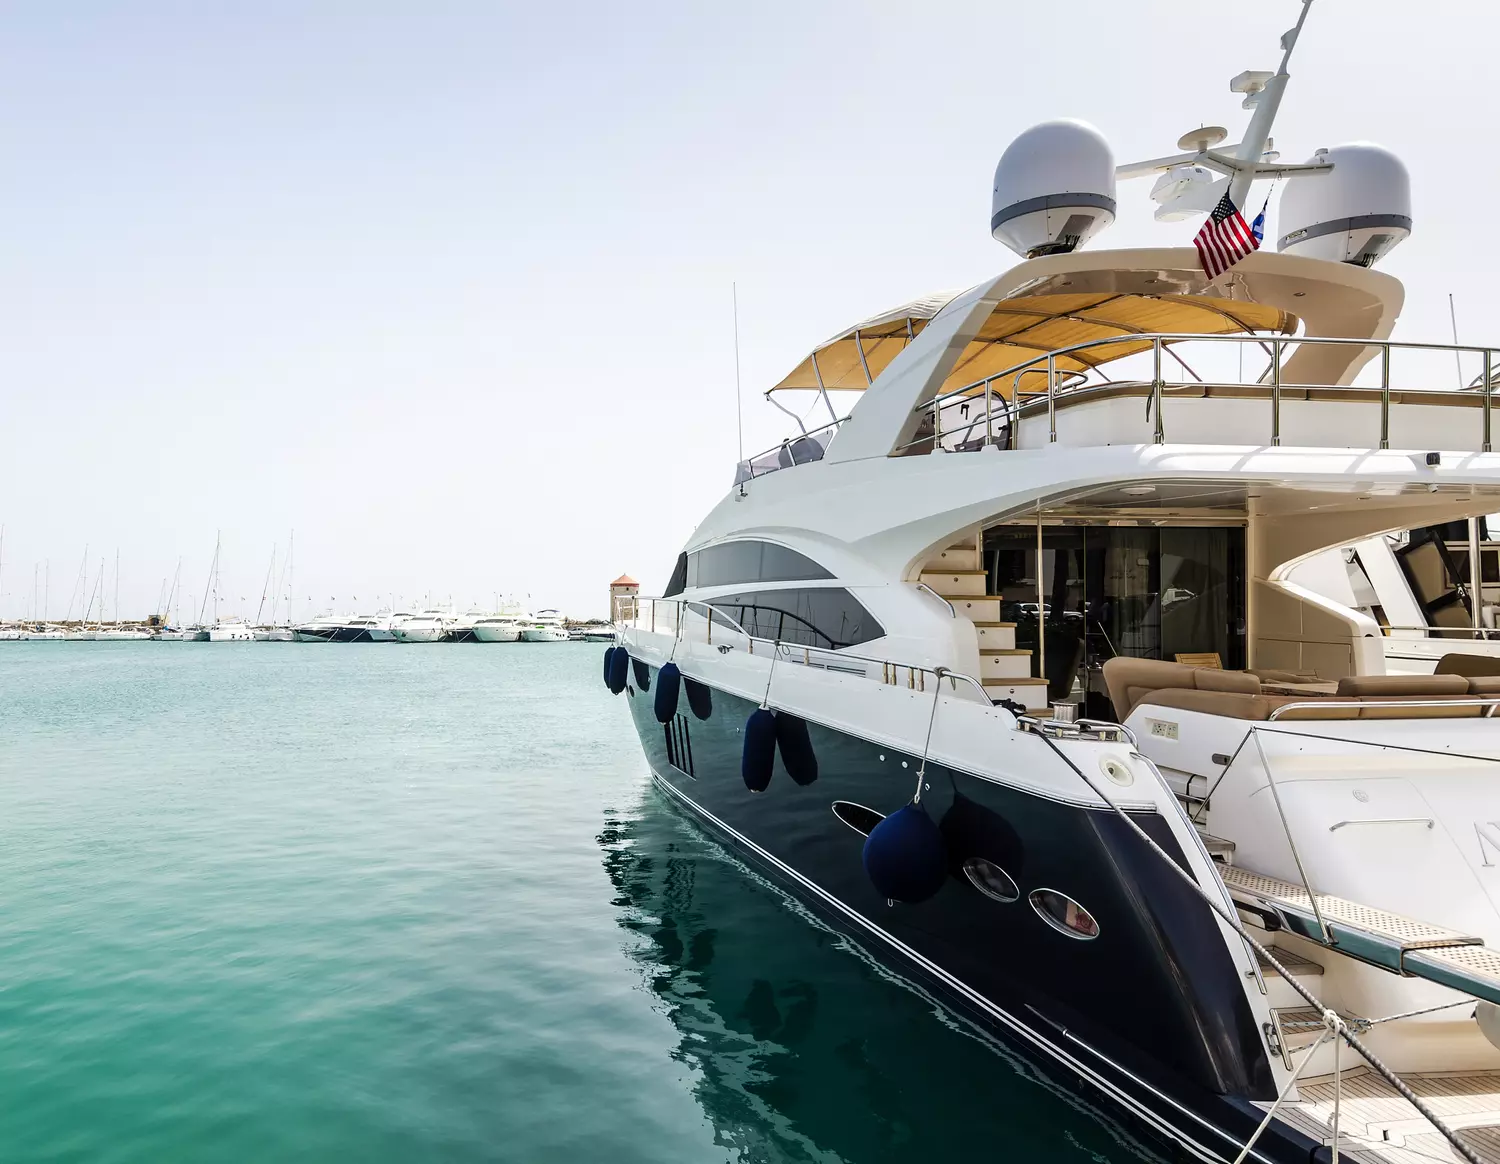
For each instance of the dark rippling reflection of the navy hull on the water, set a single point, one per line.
(803, 1049)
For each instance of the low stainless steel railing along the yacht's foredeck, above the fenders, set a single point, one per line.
(668, 617)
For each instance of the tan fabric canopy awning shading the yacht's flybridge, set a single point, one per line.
(1031, 326)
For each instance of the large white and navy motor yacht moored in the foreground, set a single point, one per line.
(1003, 674)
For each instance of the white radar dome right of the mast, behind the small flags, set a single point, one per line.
(1354, 214)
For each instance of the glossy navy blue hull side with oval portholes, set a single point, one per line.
(1151, 1012)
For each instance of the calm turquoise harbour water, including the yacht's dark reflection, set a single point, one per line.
(302, 902)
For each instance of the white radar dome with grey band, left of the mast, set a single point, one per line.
(1054, 190)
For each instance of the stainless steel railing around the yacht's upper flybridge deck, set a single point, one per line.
(1064, 383)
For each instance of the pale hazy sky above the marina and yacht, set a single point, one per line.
(445, 287)
